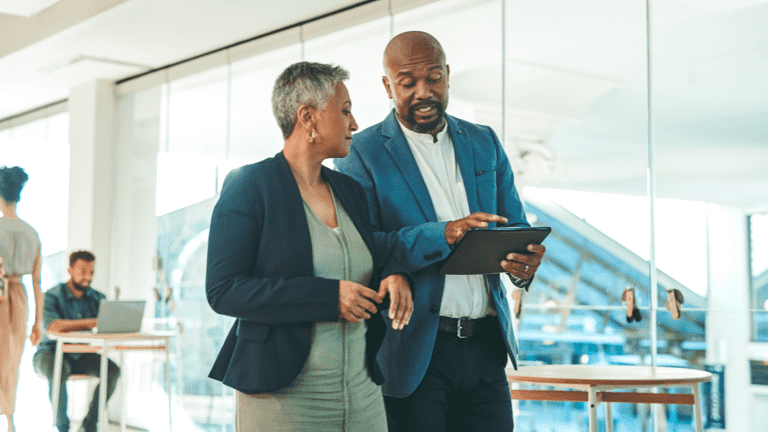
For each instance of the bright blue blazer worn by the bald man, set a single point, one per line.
(401, 208)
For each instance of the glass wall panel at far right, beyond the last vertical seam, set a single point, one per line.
(708, 61)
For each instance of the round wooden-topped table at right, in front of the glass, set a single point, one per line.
(595, 382)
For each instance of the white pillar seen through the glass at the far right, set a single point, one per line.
(728, 330)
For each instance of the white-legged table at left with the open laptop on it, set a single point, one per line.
(71, 342)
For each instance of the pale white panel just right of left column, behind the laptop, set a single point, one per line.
(134, 229)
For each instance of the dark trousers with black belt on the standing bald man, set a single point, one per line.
(465, 387)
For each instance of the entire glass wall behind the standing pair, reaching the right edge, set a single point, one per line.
(634, 130)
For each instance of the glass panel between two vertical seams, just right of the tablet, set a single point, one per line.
(575, 119)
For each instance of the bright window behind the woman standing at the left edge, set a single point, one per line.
(39, 143)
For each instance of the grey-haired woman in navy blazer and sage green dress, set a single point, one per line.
(292, 256)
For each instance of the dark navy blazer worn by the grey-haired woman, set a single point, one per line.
(260, 271)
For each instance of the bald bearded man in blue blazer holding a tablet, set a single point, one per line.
(430, 178)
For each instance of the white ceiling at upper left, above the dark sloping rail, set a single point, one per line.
(49, 47)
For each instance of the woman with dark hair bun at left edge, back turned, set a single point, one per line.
(20, 255)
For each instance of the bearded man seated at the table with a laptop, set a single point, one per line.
(71, 306)
